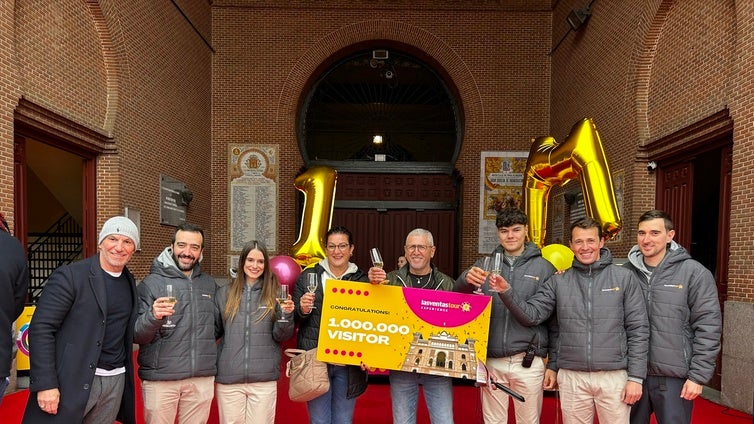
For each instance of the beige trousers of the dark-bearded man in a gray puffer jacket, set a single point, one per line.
(191, 399)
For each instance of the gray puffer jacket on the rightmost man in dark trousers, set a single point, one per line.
(684, 311)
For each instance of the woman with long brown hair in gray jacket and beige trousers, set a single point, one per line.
(252, 326)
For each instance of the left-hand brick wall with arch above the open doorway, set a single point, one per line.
(138, 74)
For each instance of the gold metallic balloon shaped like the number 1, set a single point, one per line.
(318, 186)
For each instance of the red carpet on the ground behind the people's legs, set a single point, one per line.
(373, 407)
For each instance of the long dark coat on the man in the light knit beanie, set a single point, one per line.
(65, 338)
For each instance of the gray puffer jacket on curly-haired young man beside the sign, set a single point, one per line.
(508, 337)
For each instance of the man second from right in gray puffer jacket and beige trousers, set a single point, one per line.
(603, 332)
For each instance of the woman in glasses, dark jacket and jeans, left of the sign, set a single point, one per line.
(346, 382)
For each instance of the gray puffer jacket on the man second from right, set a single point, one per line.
(601, 316)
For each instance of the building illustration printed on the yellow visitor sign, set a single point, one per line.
(441, 354)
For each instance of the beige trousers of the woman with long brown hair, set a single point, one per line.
(249, 403)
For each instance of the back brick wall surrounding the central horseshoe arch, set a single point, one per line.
(496, 60)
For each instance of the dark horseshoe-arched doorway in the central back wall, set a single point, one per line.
(389, 122)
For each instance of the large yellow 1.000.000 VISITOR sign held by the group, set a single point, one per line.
(415, 330)
